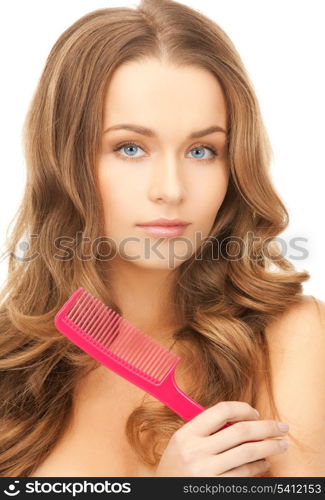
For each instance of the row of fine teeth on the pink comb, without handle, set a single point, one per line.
(112, 334)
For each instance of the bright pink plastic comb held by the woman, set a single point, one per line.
(111, 340)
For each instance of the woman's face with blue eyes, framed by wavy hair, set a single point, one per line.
(165, 173)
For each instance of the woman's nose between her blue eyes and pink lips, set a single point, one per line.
(166, 182)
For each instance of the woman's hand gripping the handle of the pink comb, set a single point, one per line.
(198, 450)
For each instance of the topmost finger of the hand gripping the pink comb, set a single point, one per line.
(215, 417)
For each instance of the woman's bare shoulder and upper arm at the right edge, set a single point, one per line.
(297, 355)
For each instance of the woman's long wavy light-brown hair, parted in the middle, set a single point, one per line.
(224, 304)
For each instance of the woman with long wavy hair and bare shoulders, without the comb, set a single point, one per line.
(141, 115)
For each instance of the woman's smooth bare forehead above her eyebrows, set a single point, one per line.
(158, 94)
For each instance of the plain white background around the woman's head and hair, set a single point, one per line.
(282, 46)
